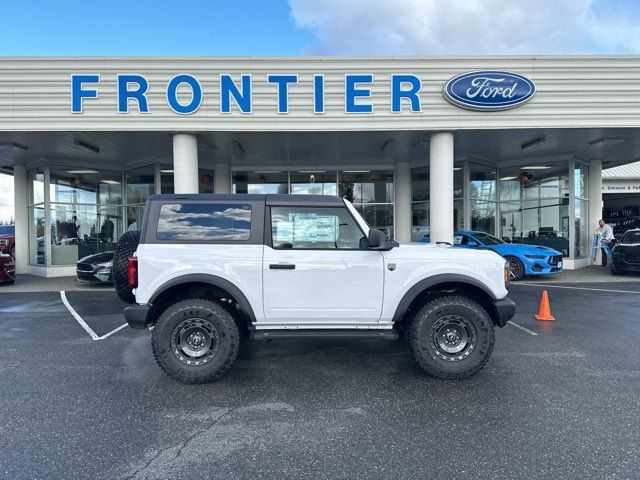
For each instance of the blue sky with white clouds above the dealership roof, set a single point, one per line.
(316, 27)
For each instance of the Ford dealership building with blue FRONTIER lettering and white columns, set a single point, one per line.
(423, 146)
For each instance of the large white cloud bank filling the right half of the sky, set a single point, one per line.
(461, 27)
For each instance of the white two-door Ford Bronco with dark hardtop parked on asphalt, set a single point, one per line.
(209, 270)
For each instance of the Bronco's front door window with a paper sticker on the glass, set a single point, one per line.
(314, 227)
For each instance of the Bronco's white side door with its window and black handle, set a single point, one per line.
(318, 270)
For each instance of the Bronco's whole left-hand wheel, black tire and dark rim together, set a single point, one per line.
(195, 341)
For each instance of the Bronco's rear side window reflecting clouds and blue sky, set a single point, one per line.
(204, 222)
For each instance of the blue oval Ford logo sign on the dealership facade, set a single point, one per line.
(489, 90)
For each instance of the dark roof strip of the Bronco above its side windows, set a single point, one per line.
(269, 199)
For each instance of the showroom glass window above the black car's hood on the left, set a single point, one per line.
(85, 213)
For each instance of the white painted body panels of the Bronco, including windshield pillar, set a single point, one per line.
(328, 288)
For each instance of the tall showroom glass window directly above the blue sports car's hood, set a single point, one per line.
(534, 205)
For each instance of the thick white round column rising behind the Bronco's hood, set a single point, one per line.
(441, 187)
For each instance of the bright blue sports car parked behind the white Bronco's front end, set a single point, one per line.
(523, 259)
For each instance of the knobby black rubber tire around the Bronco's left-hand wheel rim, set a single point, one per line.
(172, 359)
